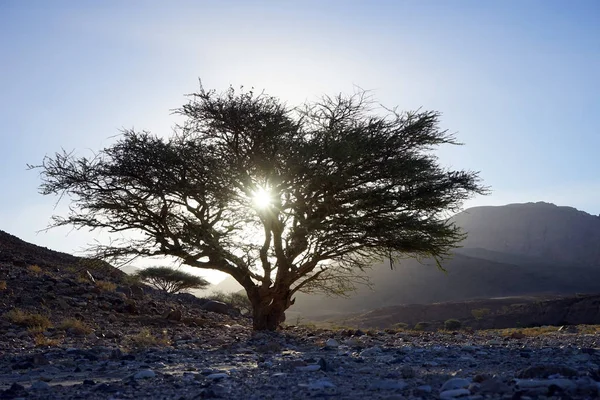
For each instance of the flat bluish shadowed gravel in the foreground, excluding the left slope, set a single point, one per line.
(231, 362)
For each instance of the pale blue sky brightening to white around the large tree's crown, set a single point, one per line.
(517, 80)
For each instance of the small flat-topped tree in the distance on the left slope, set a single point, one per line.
(170, 280)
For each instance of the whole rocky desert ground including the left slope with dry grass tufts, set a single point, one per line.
(71, 330)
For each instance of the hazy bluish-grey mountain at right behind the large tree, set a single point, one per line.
(513, 250)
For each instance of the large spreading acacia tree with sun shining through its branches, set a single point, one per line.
(282, 199)
